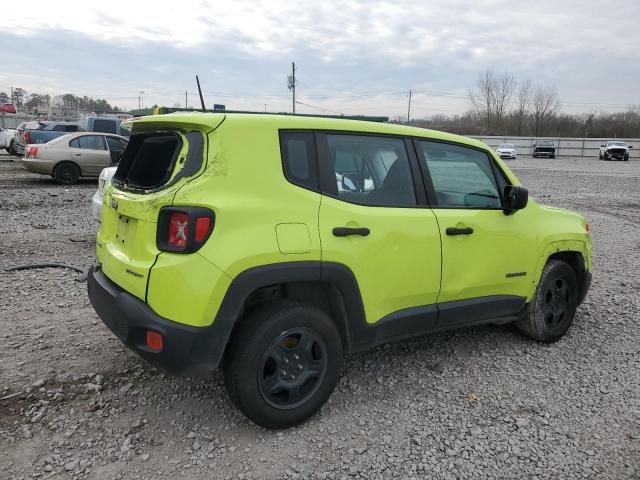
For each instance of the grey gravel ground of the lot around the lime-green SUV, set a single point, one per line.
(475, 403)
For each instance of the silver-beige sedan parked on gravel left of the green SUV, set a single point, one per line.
(75, 155)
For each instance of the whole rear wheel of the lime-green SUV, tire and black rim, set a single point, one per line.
(266, 365)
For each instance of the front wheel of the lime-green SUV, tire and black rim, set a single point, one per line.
(554, 305)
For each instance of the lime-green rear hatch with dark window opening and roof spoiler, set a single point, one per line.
(164, 153)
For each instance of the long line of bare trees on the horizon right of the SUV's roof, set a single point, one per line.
(505, 106)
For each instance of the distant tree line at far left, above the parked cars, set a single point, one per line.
(30, 102)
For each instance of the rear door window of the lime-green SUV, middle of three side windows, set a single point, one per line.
(371, 170)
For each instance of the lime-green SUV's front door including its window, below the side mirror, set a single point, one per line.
(488, 257)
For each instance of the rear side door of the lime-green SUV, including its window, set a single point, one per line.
(373, 219)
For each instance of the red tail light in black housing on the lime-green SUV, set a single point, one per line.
(183, 229)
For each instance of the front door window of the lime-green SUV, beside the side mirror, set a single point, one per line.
(462, 177)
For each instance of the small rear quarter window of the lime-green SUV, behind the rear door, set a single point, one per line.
(298, 150)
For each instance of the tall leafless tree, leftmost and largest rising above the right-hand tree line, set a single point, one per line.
(492, 96)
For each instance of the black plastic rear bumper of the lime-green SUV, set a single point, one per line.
(192, 351)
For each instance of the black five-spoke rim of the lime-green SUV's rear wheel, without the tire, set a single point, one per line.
(292, 368)
